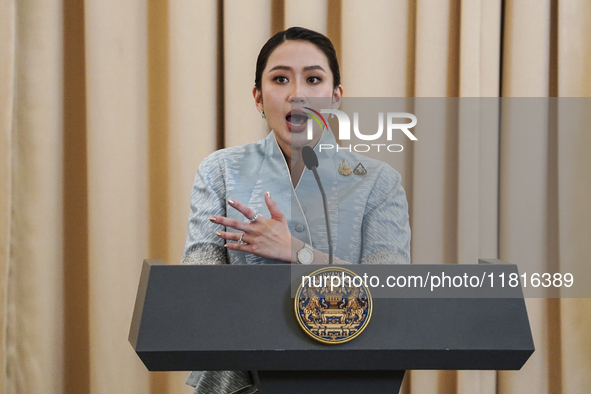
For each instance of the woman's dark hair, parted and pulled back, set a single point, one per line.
(301, 34)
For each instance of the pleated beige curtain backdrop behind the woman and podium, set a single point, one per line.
(108, 107)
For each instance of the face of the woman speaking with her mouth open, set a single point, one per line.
(296, 72)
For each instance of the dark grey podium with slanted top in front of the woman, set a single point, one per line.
(241, 317)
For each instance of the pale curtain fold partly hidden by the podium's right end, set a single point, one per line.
(524, 232)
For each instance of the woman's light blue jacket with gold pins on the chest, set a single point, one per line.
(368, 213)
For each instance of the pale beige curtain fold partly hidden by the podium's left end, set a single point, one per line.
(118, 217)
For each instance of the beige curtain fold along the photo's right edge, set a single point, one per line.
(574, 80)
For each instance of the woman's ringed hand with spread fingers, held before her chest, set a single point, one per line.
(267, 238)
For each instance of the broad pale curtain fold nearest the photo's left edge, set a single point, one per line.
(34, 305)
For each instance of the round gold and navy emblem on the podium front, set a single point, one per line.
(333, 314)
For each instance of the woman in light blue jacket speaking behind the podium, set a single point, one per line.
(256, 203)
